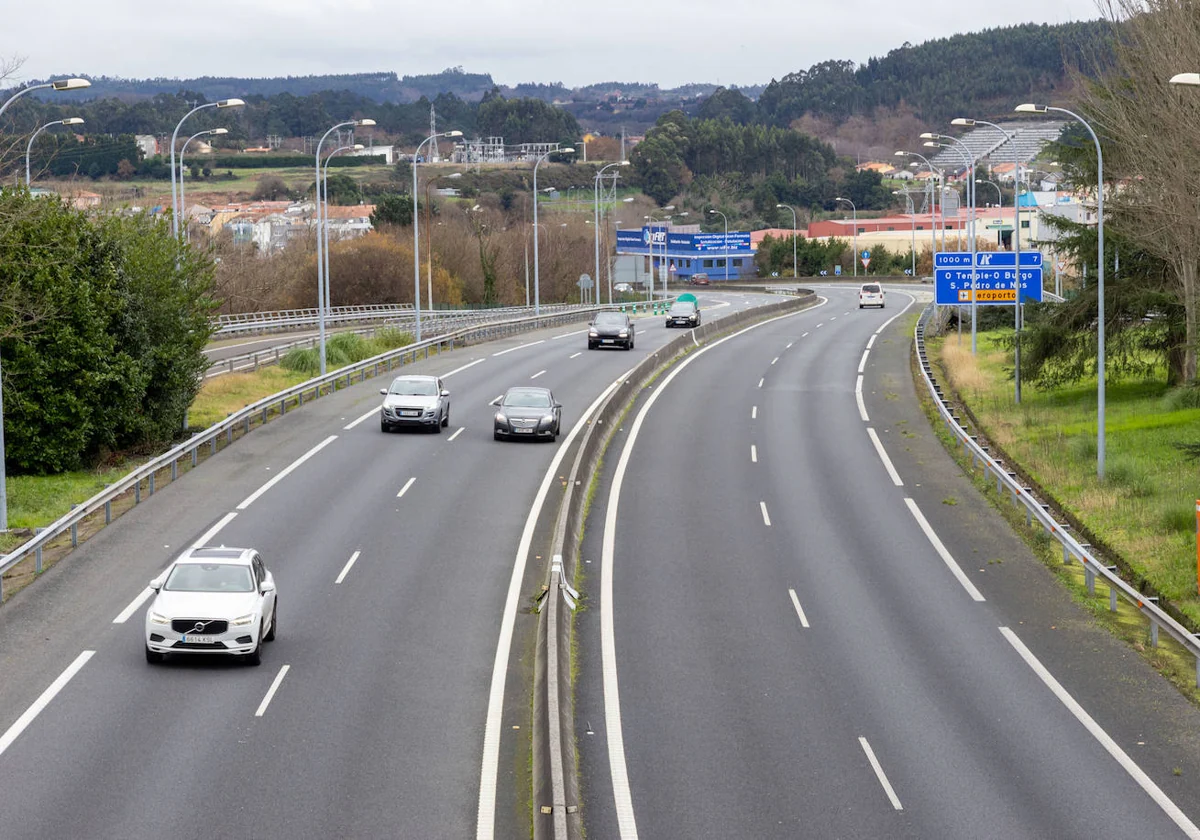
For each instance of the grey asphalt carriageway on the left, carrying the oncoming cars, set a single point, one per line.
(398, 559)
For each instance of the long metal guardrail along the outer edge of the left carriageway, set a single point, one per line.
(242, 423)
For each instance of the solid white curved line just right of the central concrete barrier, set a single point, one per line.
(619, 770)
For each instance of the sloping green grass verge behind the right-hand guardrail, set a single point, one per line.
(1144, 507)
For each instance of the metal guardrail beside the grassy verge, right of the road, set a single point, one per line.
(1007, 482)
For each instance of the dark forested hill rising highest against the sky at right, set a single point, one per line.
(985, 74)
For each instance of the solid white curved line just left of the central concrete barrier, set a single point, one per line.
(490, 767)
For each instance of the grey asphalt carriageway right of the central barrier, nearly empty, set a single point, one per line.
(803, 621)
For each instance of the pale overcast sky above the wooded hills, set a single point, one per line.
(667, 41)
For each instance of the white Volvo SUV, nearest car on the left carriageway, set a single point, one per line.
(215, 602)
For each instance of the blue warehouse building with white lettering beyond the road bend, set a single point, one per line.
(689, 254)
